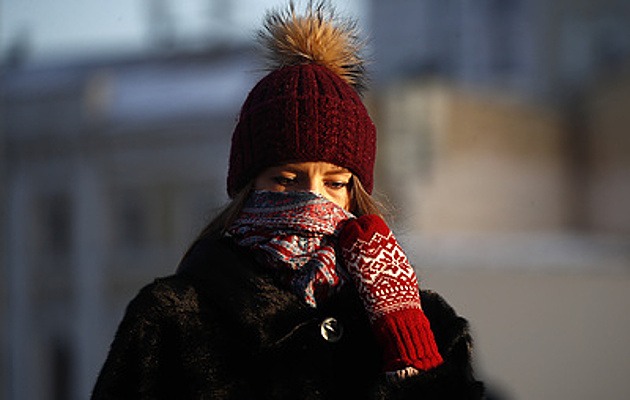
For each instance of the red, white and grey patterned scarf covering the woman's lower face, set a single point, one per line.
(295, 233)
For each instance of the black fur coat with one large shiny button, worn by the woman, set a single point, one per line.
(222, 328)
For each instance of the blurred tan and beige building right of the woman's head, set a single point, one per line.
(485, 170)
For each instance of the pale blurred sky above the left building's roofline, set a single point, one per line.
(65, 28)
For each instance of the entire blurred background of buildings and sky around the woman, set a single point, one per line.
(504, 154)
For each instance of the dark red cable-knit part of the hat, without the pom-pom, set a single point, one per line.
(302, 113)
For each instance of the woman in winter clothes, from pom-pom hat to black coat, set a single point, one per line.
(298, 289)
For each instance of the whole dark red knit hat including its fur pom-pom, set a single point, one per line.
(308, 108)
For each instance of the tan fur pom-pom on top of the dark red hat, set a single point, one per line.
(318, 36)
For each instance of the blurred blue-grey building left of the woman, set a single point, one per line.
(110, 168)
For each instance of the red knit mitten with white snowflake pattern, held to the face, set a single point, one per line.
(388, 287)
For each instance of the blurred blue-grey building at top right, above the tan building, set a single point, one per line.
(539, 49)
